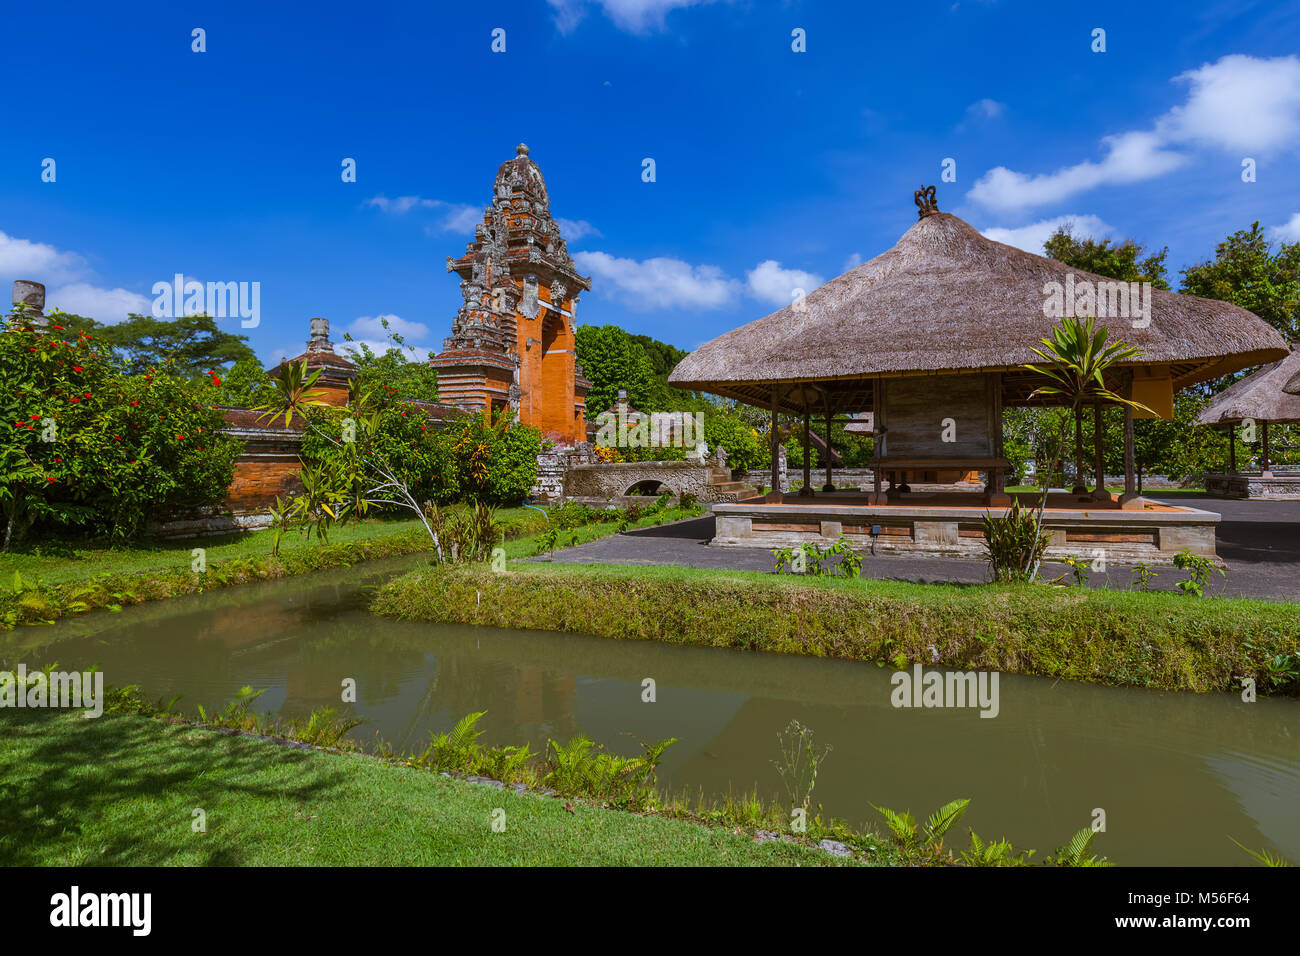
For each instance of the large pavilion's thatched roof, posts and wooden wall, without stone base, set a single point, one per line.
(943, 326)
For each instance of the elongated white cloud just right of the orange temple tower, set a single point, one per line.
(660, 283)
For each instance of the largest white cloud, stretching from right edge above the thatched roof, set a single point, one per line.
(1238, 103)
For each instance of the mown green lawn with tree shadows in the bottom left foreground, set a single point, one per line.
(122, 791)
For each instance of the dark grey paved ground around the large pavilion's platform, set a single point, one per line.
(1258, 540)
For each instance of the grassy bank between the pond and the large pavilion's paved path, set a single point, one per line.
(1143, 639)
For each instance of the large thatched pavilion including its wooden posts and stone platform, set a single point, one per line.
(931, 338)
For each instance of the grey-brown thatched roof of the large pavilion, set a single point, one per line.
(948, 300)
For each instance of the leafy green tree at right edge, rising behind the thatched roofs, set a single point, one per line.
(1249, 274)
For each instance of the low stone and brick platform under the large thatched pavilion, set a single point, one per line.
(934, 525)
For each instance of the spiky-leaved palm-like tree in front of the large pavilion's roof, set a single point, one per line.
(1080, 358)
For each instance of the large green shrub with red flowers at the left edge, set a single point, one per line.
(84, 444)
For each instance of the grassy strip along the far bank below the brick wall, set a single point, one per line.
(62, 581)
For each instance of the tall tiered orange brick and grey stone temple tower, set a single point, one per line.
(513, 341)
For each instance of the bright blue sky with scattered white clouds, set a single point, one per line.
(774, 170)
